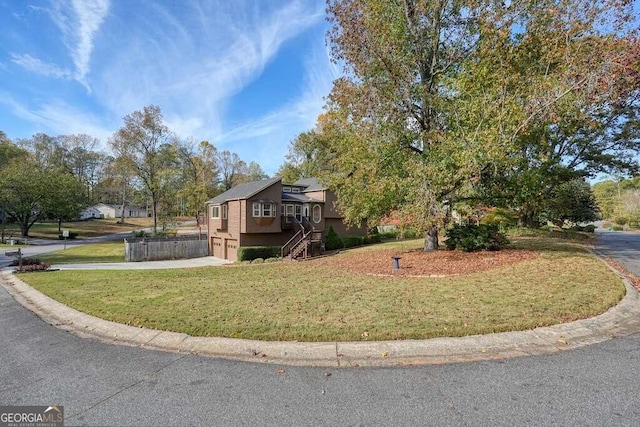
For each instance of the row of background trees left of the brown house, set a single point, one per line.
(57, 177)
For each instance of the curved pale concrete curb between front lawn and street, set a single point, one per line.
(621, 320)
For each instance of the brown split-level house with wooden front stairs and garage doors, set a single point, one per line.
(269, 213)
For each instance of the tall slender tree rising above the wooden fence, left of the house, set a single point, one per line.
(146, 145)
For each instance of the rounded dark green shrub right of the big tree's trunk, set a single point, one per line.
(471, 238)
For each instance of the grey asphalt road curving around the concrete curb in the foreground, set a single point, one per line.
(101, 384)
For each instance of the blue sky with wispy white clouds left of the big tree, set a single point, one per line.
(247, 76)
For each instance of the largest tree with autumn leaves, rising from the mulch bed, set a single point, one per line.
(441, 96)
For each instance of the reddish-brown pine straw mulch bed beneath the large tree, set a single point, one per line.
(430, 264)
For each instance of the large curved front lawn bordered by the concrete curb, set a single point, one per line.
(312, 301)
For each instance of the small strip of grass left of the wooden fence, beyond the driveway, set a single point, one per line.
(86, 254)
